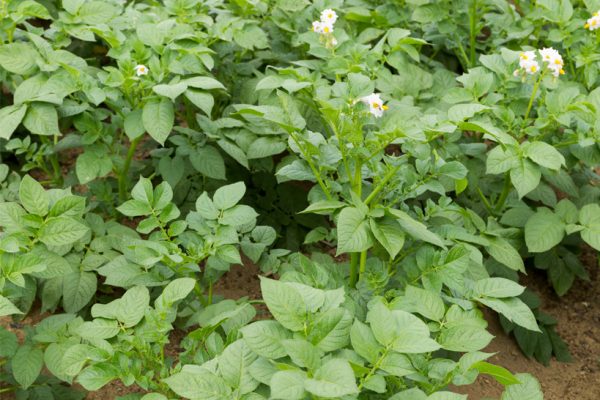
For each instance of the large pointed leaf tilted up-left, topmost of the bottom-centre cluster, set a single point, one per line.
(285, 303)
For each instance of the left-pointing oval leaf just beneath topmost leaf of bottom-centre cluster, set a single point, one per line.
(265, 338)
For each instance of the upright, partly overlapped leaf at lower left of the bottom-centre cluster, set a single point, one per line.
(234, 364)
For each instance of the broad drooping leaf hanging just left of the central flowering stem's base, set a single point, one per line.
(353, 231)
